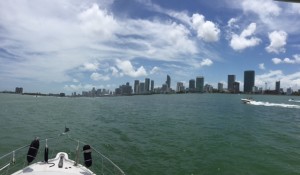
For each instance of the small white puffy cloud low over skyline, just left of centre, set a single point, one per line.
(127, 69)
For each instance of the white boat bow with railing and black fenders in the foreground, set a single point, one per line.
(36, 162)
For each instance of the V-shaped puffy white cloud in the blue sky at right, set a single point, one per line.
(245, 39)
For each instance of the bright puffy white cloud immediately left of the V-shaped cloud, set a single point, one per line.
(206, 30)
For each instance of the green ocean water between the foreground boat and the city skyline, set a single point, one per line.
(181, 134)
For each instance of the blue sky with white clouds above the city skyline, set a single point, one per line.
(54, 46)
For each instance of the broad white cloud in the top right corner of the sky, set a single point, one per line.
(270, 14)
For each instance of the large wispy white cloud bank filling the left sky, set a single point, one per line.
(77, 36)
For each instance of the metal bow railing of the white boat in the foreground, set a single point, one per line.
(16, 159)
